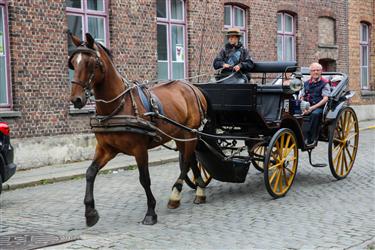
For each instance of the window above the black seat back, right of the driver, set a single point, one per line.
(286, 39)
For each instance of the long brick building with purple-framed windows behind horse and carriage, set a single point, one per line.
(159, 39)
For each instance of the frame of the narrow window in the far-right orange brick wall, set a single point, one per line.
(364, 44)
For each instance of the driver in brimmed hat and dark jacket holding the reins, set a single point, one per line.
(234, 57)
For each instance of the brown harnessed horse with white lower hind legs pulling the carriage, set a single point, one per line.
(181, 102)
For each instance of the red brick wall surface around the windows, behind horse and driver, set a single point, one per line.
(38, 46)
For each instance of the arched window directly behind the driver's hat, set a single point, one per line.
(235, 17)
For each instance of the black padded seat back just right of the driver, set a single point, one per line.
(274, 67)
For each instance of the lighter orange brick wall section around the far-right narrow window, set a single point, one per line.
(361, 11)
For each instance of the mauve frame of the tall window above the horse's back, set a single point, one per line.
(169, 22)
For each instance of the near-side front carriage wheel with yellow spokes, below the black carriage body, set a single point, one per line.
(280, 163)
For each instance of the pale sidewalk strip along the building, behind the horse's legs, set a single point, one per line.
(63, 172)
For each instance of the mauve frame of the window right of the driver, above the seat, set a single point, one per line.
(285, 34)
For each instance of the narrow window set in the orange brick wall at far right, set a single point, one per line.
(364, 55)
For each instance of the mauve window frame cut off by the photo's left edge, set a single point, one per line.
(9, 103)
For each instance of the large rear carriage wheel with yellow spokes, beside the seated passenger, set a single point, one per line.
(343, 143)
